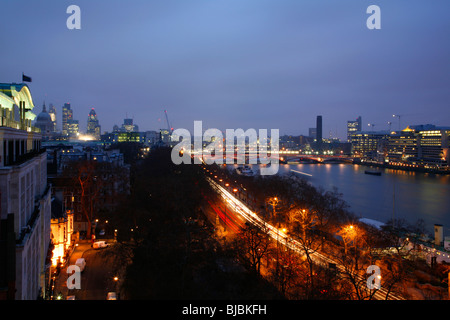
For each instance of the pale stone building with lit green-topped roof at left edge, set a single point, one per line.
(25, 210)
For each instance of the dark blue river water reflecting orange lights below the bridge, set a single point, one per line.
(400, 194)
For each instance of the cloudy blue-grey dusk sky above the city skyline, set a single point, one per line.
(263, 64)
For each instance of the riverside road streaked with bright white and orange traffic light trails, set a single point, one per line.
(283, 239)
